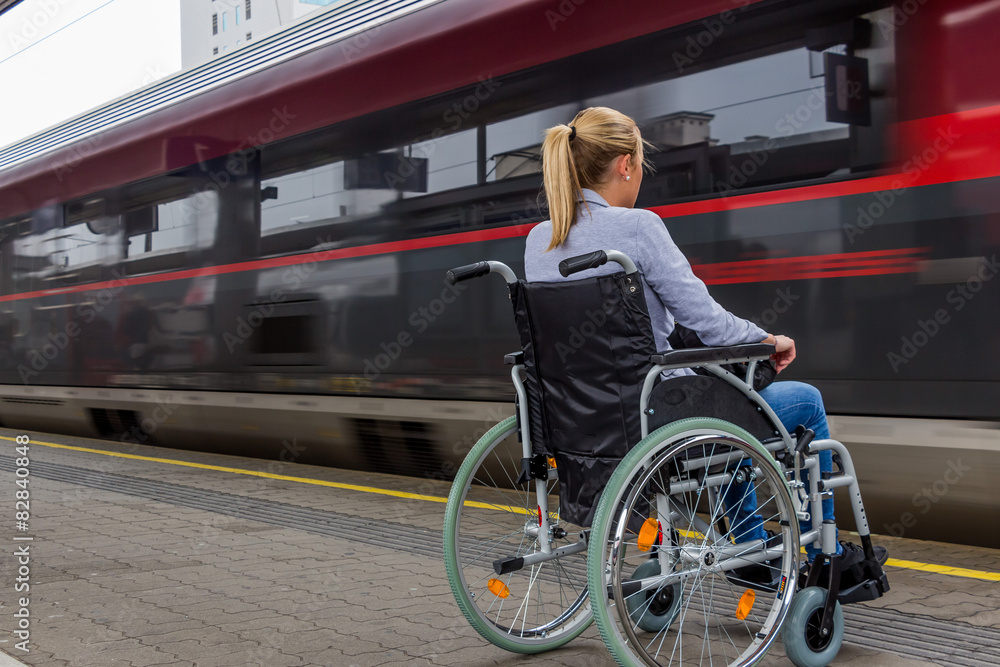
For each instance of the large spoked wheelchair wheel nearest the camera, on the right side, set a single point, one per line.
(665, 503)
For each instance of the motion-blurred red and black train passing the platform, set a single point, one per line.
(249, 256)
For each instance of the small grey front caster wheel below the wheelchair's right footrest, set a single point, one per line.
(800, 635)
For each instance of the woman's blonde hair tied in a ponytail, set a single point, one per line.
(569, 165)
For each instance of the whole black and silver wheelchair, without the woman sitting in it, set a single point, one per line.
(613, 496)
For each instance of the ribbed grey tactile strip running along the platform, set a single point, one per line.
(948, 643)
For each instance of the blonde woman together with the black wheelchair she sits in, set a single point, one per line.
(649, 488)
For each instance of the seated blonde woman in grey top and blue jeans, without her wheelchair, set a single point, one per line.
(592, 172)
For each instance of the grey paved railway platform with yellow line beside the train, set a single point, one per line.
(138, 555)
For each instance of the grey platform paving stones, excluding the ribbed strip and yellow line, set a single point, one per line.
(121, 580)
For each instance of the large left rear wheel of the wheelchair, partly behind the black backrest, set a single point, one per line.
(489, 516)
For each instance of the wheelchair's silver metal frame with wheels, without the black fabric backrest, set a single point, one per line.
(788, 455)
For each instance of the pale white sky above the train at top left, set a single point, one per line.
(59, 58)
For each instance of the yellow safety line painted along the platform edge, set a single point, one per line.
(892, 562)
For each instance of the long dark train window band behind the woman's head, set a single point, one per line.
(750, 119)
